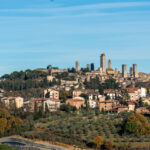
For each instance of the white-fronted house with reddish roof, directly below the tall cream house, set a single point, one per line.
(51, 104)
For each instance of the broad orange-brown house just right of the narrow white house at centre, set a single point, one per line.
(107, 104)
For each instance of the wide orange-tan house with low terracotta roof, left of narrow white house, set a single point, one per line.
(77, 102)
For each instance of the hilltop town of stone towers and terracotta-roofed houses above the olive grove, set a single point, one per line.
(106, 88)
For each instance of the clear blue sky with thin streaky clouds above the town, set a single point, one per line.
(35, 33)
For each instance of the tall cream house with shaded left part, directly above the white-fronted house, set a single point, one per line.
(52, 94)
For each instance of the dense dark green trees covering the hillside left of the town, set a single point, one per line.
(19, 81)
